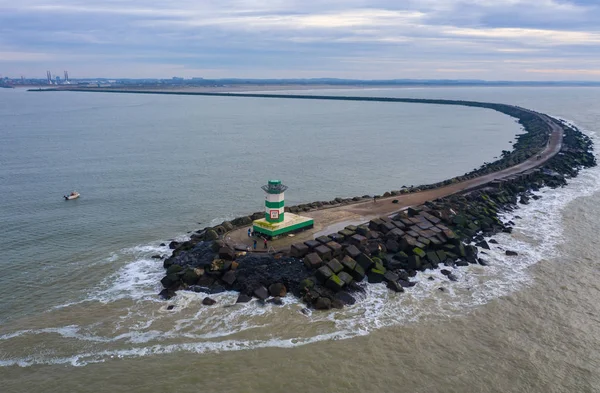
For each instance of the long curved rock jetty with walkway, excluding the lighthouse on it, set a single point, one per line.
(438, 226)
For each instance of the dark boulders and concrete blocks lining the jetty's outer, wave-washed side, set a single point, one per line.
(332, 271)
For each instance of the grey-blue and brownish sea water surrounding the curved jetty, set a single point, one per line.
(79, 310)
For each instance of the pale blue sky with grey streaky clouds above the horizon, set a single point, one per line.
(379, 39)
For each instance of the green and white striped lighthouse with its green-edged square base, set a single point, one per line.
(277, 222)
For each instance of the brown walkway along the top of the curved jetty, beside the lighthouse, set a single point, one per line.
(333, 219)
